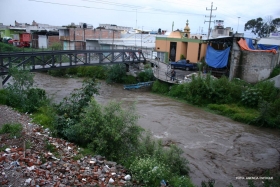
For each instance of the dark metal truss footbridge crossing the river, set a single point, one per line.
(51, 60)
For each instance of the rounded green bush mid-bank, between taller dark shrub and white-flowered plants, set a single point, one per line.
(114, 133)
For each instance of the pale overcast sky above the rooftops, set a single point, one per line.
(150, 14)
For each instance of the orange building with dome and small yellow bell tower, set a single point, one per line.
(178, 43)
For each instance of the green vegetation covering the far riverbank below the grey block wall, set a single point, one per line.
(257, 104)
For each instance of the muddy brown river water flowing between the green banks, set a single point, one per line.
(216, 147)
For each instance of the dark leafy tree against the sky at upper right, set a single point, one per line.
(262, 28)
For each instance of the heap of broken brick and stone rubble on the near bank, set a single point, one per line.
(25, 161)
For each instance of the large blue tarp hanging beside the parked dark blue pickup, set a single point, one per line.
(215, 58)
